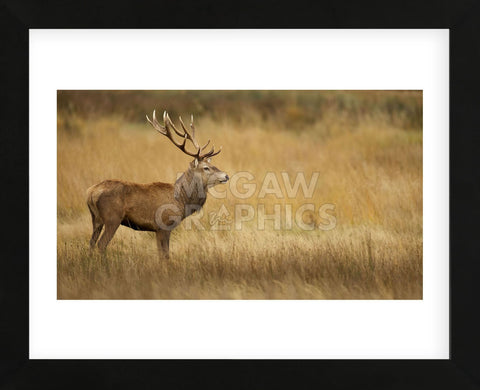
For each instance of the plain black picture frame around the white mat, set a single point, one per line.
(460, 371)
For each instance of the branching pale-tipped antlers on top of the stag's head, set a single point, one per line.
(186, 135)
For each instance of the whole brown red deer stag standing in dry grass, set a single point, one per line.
(156, 207)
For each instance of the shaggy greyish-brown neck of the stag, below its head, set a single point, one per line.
(190, 192)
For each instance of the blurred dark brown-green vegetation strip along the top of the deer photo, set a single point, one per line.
(291, 109)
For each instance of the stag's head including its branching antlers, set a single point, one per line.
(201, 165)
